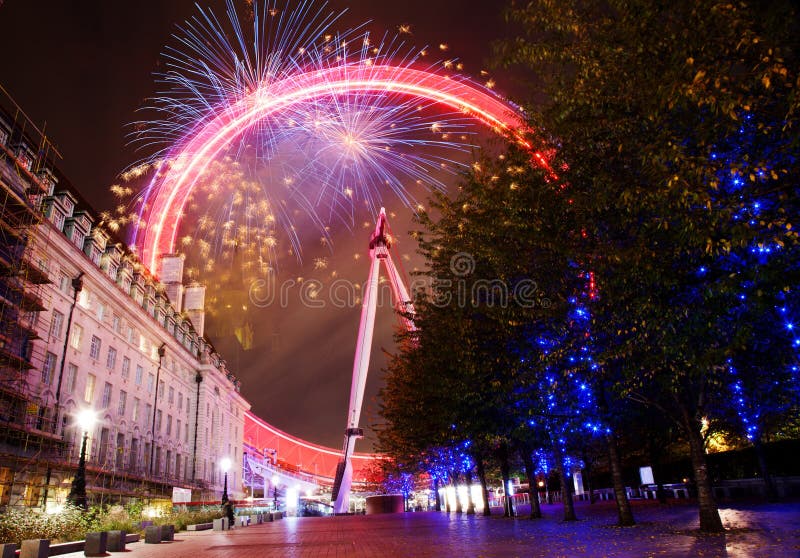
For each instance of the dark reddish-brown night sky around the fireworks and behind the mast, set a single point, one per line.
(82, 68)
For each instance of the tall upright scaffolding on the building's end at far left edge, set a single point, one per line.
(29, 440)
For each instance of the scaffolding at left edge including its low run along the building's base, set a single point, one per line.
(38, 450)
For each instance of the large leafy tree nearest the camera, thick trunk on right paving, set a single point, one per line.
(639, 96)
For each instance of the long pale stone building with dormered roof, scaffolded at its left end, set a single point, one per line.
(86, 325)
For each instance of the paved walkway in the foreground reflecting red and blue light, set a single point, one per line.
(765, 531)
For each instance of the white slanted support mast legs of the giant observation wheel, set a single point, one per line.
(378, 251)
